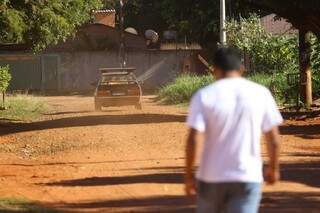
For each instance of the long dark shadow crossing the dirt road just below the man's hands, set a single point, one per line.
(304, 173)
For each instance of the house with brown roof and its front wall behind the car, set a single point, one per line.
(72, 66)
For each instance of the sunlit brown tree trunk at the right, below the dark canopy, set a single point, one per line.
(305, 68)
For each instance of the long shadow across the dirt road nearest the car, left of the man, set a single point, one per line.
(92, 120)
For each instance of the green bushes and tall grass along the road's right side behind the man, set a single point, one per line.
(272, 59)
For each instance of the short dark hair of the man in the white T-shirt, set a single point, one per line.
(227, 59)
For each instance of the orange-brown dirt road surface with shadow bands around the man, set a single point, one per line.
(125, 160)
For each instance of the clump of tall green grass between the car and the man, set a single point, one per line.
(182, 89)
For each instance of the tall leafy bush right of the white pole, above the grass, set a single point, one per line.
(269, 53)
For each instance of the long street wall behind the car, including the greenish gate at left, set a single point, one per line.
(75, 71)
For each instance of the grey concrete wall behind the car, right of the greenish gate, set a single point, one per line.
(155, 68)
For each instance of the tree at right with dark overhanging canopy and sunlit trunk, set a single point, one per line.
(305, 16)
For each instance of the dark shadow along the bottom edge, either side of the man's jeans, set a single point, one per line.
(284, 202)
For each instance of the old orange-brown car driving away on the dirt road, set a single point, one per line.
(117, 87)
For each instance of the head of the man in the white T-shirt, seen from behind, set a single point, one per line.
(227, 63)
